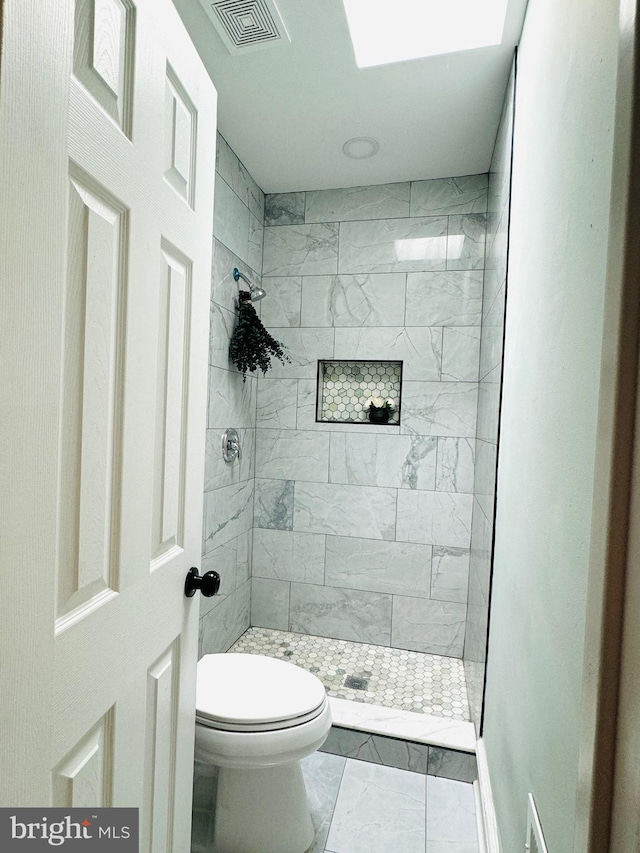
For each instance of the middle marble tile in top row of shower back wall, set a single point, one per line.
(369, 202)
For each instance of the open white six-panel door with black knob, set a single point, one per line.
(108, 131)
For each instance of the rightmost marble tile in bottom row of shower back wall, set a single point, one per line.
(435, 627)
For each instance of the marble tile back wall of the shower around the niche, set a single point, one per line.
(362, 532)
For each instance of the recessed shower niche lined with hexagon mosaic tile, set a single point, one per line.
(344, 388)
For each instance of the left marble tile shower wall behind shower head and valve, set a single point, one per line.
(228, 508)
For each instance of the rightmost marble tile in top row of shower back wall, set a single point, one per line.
(466, 194)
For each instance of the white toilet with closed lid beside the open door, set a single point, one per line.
(256, 717)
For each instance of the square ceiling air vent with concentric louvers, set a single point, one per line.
(246, 25)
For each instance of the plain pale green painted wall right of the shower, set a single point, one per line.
(559, 224)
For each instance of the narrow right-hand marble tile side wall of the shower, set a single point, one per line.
(491, 349)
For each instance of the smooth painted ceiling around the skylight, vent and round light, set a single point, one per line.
(287, 110)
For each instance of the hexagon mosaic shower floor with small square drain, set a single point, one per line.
(378, 675)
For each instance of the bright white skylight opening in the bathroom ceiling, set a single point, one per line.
(386, 31)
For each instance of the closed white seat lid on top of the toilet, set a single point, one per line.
(247, 688)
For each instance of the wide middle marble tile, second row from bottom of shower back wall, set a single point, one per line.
(392, 567)
